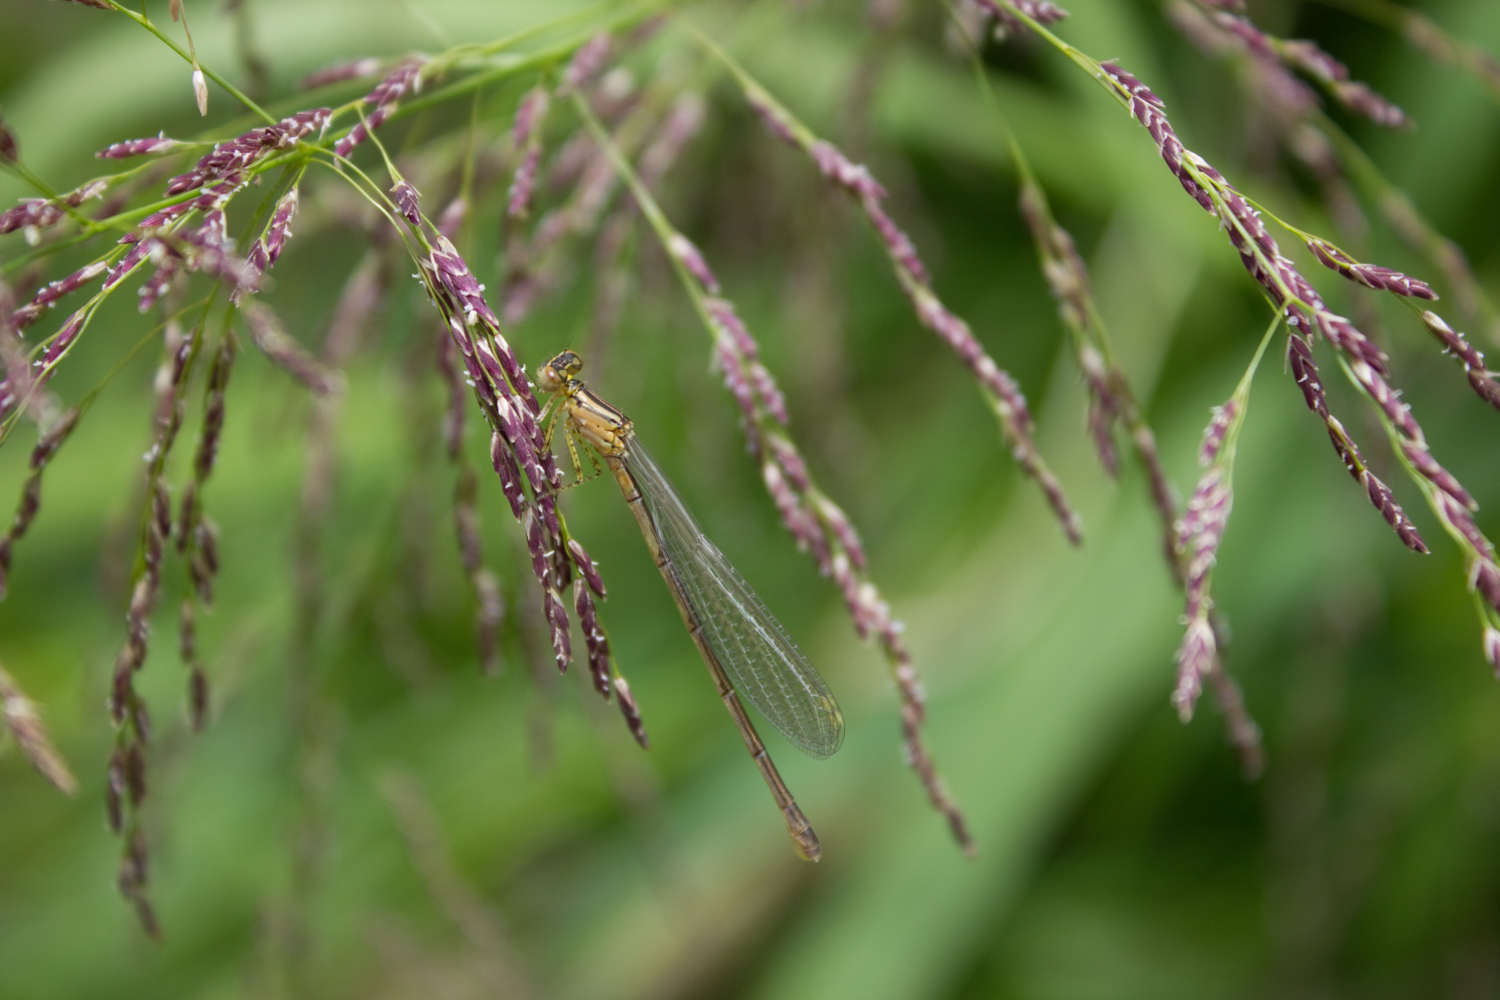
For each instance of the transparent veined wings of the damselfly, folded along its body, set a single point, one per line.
(763, 662)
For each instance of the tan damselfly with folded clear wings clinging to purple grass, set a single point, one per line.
(743, 645)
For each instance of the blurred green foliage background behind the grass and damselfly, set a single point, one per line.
(370, 816)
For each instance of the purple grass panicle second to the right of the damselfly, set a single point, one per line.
(856, 181)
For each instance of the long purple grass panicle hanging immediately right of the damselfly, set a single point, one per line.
(814, 519)
